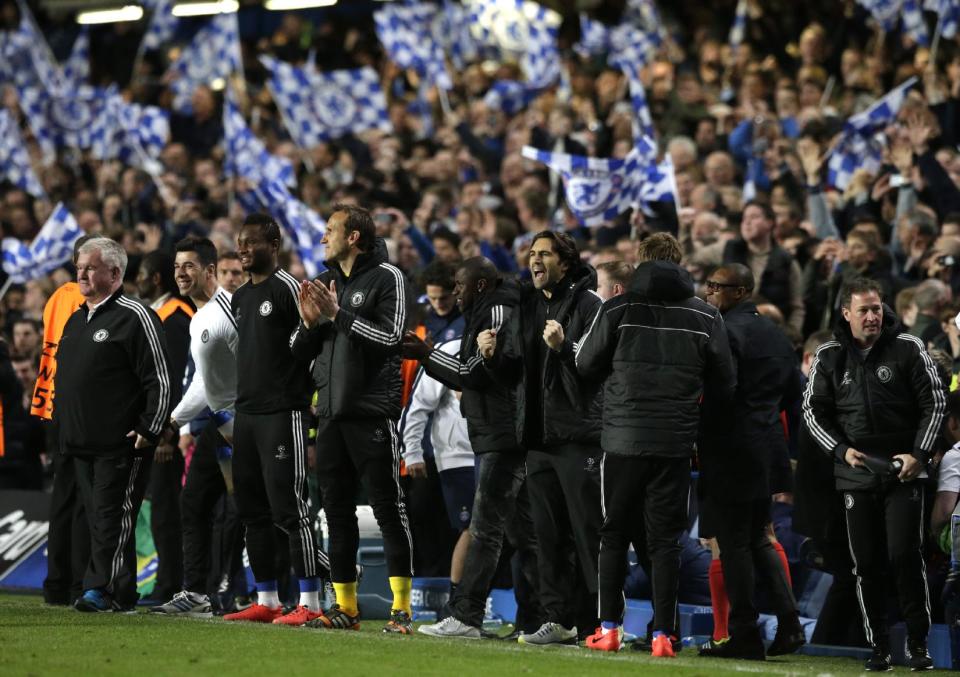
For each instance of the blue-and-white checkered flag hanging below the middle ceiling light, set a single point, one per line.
(214, 54)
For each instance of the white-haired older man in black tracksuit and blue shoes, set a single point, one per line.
(113, 399)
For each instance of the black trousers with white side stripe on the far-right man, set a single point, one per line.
(885, 528)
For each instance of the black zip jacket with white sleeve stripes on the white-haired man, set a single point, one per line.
(113, 376)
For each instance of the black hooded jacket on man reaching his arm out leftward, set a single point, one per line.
(488, 406)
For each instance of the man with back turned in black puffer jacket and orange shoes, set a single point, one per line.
(658, 350)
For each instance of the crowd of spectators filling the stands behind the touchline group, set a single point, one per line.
(766, 113)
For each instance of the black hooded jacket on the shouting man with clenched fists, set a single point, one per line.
(554, 405)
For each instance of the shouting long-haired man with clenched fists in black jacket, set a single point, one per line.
(558, 423)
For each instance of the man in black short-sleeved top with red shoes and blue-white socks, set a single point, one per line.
(270, 428)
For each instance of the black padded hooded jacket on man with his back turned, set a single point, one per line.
(657, 349)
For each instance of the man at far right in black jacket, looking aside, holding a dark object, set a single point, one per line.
(875, 404)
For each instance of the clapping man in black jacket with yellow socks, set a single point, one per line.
(353, 330)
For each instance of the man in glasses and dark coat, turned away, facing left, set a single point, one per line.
(735, 467)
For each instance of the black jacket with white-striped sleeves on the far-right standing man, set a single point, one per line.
(889, 402)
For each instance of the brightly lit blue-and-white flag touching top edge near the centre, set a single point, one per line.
(524, 29)
